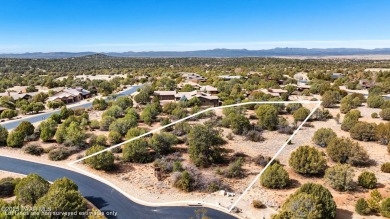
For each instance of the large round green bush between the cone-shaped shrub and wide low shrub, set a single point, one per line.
(308, 161)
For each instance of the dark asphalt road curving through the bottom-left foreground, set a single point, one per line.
(103, 196)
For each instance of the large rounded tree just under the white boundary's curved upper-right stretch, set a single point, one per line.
(268, 116)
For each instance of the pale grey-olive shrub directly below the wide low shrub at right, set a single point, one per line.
(340, 177)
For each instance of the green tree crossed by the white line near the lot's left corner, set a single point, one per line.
(102, 161)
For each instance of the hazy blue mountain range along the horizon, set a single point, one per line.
(213, 53)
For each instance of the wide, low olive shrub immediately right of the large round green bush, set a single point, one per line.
(343, 150)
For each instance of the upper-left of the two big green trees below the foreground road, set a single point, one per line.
(30, 189)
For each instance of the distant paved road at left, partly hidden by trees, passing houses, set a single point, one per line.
(43, 116)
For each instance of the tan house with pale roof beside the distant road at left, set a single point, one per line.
(70, 95)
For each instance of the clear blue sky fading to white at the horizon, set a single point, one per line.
(155, 25)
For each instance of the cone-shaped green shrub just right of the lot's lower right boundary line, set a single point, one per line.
(275, 177)
